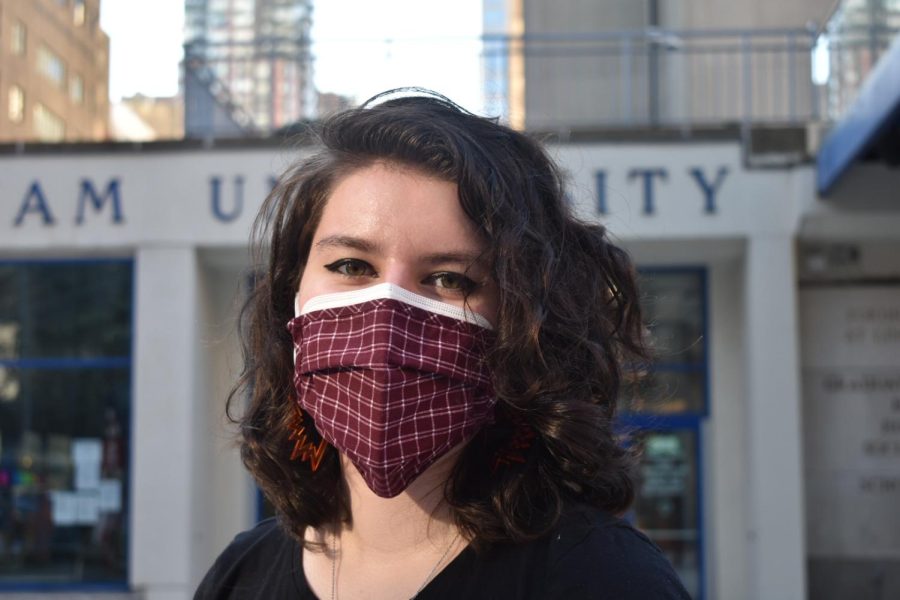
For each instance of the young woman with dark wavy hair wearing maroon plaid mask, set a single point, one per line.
(434, 357)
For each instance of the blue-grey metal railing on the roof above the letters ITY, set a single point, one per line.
(653, 77)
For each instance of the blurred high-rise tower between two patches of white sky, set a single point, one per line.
(247, 65)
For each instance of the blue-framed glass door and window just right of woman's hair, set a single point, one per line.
(662, 409)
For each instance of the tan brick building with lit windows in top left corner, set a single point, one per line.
(54, 71)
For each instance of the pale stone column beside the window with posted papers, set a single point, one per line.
(164, 424)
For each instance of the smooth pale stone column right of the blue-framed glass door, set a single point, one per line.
(776, 545)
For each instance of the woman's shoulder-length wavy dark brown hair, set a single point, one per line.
(568, 322)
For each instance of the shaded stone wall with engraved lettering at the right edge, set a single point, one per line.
(850, 309)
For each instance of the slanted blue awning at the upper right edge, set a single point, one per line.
(874, 113)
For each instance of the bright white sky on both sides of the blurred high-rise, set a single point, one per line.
(361, 47)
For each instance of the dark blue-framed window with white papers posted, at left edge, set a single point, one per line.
(65, 372)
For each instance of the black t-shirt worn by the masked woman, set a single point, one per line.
(588, 555)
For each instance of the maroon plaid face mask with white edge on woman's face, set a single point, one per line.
(392, 379)
